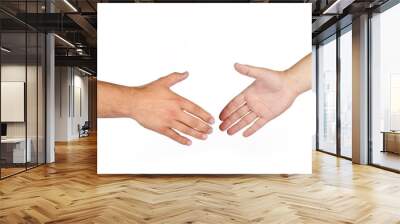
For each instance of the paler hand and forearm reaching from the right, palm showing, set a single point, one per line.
(271, 93)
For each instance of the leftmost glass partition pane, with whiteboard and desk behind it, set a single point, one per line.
(13, 89)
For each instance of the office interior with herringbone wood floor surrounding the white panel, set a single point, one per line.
(48, 150)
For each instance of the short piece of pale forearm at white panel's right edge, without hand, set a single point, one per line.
(300, 75)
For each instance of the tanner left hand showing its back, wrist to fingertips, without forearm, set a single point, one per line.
(159, 109)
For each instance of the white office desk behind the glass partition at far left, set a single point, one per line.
(13, 150)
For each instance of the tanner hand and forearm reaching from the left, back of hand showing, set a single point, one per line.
(156, 107)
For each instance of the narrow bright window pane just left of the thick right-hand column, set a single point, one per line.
(346, 94)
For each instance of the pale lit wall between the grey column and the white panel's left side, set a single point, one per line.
(71, 102)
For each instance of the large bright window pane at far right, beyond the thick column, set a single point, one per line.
(386, 89)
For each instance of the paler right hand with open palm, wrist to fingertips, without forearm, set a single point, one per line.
(266, 98)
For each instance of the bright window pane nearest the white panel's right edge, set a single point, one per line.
(327, 96)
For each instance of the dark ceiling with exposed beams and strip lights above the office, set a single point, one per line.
(76, 21)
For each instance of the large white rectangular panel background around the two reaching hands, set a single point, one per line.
(138, 43)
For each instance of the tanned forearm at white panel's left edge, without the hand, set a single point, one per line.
(114, 100)
